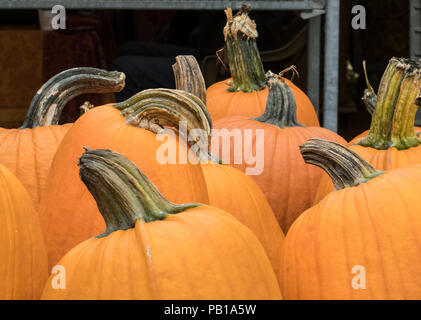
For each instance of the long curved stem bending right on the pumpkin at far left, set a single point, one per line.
(49, 101)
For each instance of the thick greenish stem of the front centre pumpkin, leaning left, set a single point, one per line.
(122, 192)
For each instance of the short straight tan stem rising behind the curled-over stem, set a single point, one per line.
(189, 78)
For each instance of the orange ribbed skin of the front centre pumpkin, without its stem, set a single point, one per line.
(201, 253)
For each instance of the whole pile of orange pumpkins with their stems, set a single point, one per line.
(89, 212)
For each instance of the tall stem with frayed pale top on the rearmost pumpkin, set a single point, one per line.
(244, 59)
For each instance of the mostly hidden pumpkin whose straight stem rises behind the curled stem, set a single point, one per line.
(228, 188)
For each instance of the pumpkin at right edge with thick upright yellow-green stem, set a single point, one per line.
(392, 141)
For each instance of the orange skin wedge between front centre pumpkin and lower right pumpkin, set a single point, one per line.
(233, 191)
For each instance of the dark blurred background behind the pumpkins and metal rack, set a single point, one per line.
(143, 43)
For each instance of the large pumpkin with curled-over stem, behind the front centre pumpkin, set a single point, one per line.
(68, 213)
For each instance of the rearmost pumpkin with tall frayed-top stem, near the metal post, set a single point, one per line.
(246, 93)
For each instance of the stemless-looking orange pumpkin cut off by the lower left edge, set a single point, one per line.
(23, 258)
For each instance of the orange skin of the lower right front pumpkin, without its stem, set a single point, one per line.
(376, 225)
